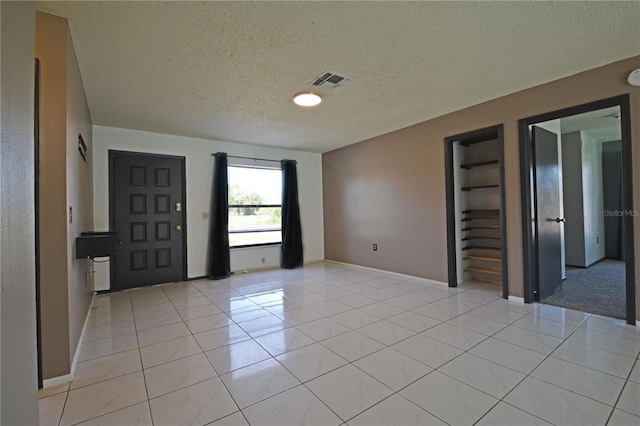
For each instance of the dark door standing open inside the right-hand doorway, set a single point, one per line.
(548, 221)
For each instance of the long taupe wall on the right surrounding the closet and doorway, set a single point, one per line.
(390, 190)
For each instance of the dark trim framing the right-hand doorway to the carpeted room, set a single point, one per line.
(527, 169)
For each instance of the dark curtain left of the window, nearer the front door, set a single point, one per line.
(219, 265)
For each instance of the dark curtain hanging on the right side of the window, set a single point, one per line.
(291, 255)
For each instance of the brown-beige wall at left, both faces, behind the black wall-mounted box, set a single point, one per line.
(65, 181)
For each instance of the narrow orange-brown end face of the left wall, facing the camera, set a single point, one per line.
(51, 49)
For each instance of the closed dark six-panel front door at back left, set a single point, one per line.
(148, 213)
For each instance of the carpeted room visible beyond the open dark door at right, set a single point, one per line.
(589, 147)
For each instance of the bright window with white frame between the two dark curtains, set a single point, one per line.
(255, 197)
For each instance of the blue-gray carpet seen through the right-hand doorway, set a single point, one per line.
(599, 289)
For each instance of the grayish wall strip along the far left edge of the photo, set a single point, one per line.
(19, 403)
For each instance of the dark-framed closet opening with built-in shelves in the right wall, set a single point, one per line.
(476, 224)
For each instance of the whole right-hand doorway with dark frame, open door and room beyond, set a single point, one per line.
(579, 208)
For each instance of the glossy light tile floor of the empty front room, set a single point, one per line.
(334, 345)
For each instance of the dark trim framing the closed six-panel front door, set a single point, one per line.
(112, 214)
